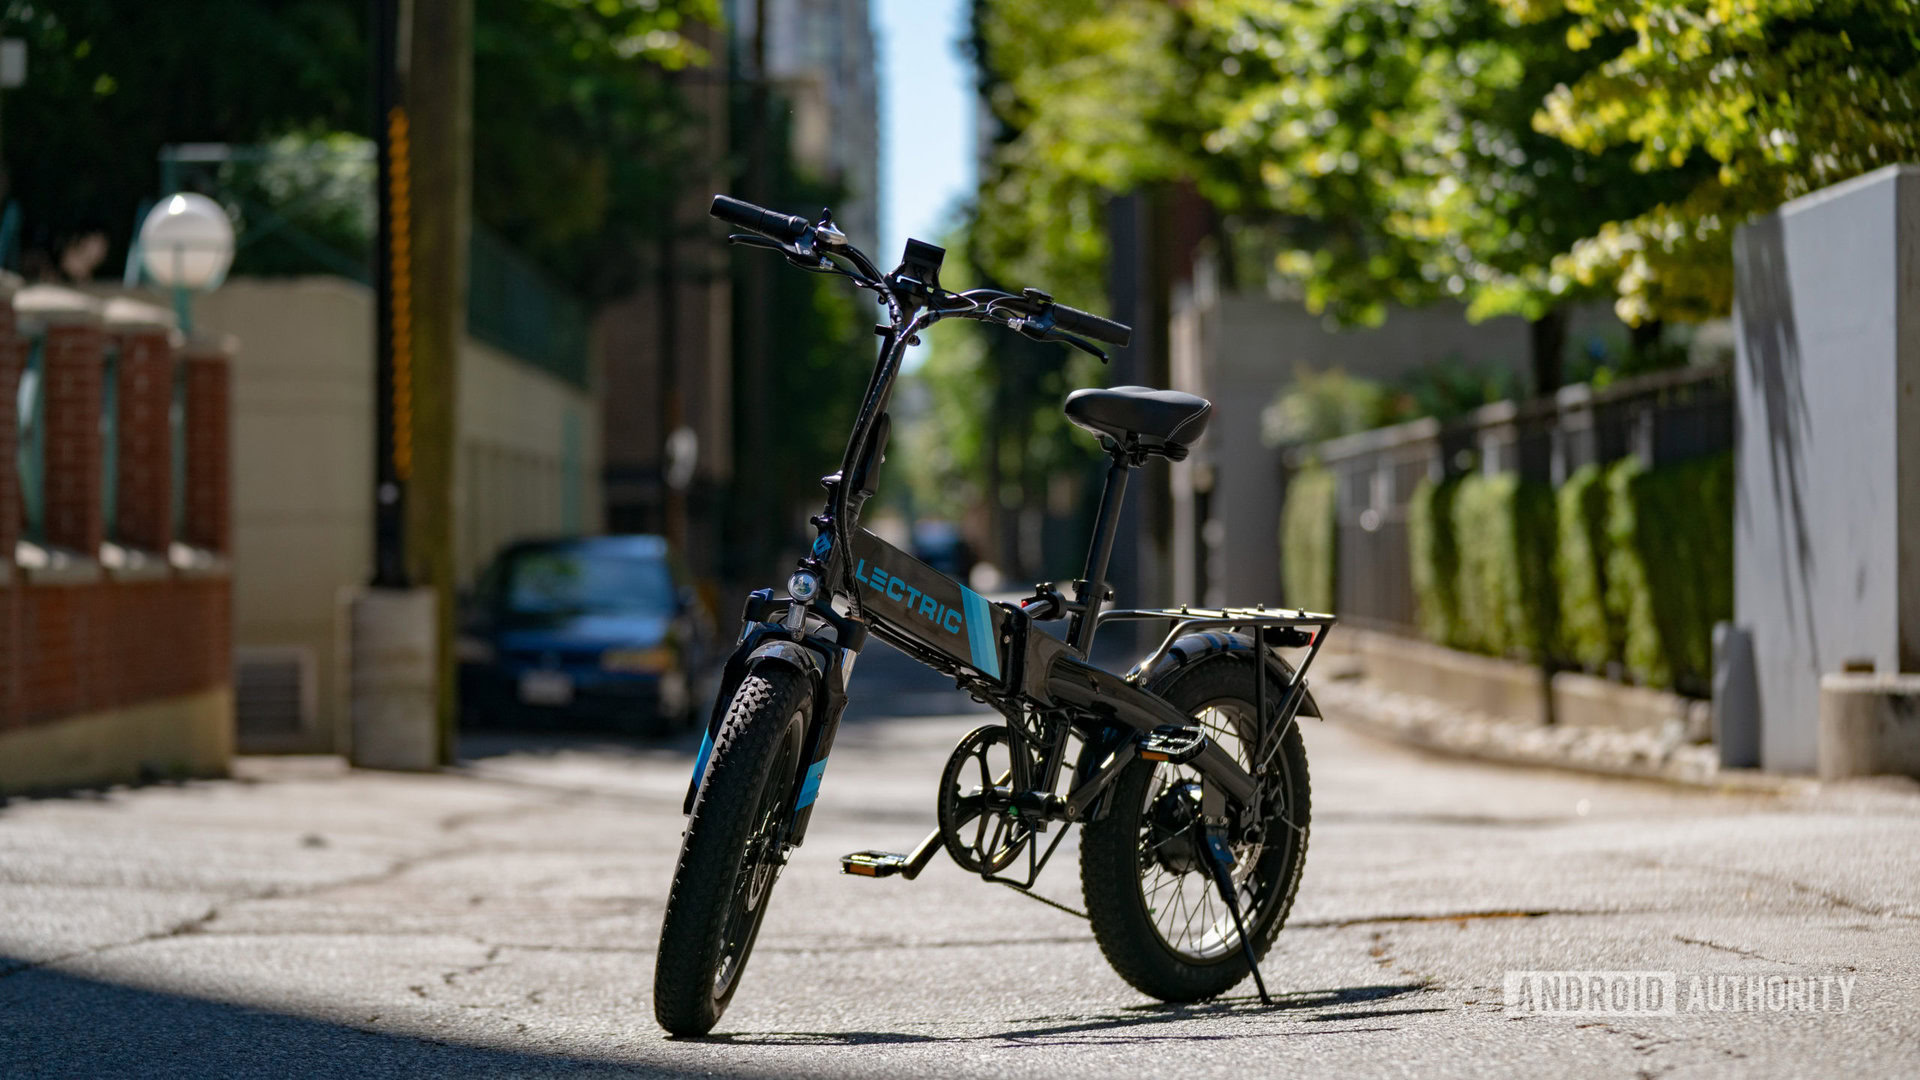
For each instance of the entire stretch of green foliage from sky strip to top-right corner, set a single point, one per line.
(1512, 155)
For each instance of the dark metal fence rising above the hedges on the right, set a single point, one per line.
(1662, 418)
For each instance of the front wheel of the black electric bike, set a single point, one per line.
(732, 852)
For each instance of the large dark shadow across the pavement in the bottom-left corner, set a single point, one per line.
(57, 1025)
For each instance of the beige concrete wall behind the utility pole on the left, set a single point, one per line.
(302, 472)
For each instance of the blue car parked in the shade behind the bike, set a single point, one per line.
(604, 631)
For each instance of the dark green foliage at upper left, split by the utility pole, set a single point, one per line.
(577, 132)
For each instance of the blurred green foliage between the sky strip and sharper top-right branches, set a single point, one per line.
(1387, 145)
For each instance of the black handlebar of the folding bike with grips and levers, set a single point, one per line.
(1032, 312)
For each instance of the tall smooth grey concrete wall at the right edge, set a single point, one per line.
(1827, 558)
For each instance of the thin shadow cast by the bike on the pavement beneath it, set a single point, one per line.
(1141, 1023)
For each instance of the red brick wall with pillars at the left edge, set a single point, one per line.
(80, 637)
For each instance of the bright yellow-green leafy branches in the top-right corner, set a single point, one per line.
(1752, 103)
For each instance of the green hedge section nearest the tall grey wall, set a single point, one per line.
(1671, 566)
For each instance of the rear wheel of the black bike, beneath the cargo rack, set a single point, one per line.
(1149, 893)
